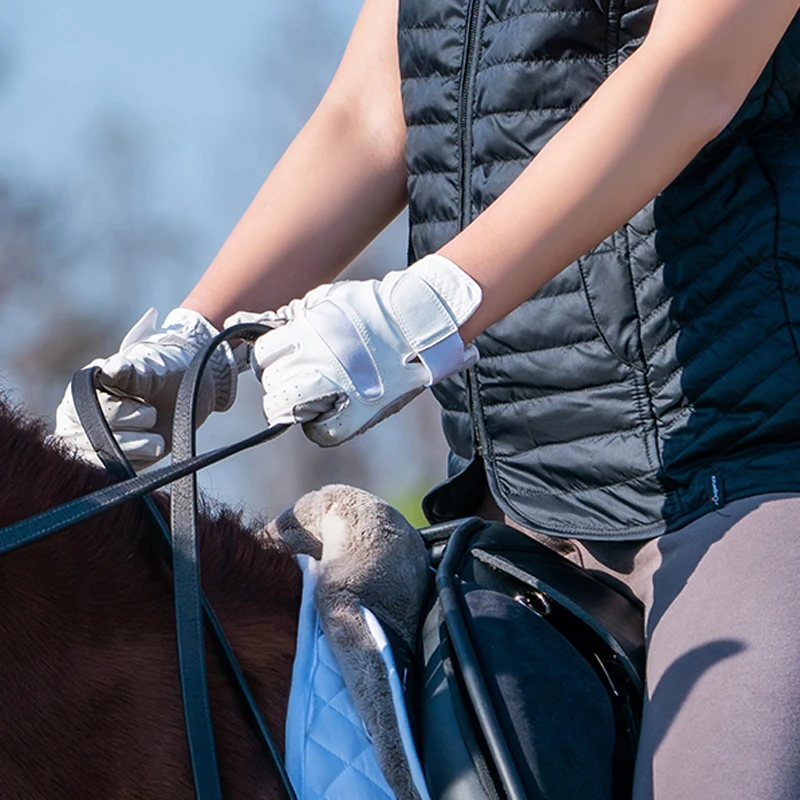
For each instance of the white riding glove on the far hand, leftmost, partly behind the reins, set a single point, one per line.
(140, 384)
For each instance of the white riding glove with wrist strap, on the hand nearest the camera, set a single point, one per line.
(351, 353)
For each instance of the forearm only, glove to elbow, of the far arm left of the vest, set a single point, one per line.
(325, 200)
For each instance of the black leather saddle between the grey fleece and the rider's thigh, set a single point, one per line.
(531, 673)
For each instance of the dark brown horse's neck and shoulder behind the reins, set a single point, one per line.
(88, 668)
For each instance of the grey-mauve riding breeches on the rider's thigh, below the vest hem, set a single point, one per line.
(722, 612)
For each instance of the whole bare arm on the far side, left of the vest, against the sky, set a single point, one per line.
(341, 181)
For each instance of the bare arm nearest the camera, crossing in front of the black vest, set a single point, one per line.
(625, 145)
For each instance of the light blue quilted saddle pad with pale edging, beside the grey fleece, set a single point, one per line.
(329, 754)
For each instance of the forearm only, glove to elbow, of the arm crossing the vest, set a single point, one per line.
(634, 135)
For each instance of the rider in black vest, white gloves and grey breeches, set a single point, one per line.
(603, 292)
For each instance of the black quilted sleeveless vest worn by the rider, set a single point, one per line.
(658, 376)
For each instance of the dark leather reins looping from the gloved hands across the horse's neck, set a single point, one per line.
(193, 613)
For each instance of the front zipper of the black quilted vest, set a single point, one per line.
(465, 140)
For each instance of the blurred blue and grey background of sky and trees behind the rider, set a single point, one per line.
(132, 138)
